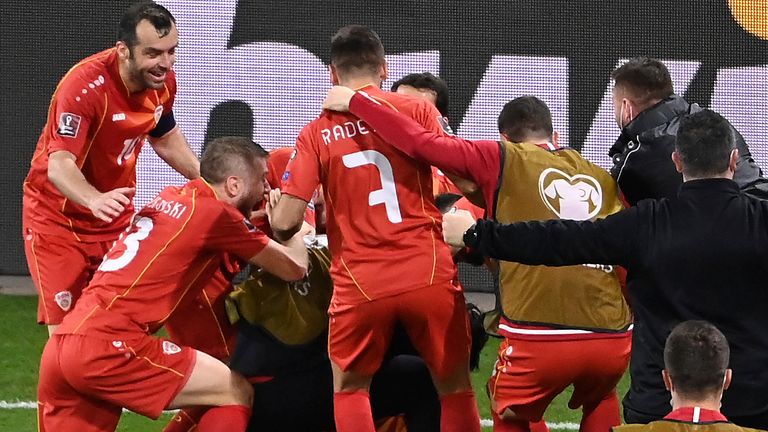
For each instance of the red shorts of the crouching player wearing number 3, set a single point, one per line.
(85, 381)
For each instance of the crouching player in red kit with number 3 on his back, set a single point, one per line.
(102, 358)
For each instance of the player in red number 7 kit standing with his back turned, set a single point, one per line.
(389, 262)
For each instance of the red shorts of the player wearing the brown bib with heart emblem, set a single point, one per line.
(529, 373)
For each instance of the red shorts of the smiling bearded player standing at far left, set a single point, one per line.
(60, 268)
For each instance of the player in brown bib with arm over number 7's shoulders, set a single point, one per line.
(527, 175)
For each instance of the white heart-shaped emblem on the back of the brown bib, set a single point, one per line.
(577, 197)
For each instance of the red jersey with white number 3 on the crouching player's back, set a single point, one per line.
(170, 251)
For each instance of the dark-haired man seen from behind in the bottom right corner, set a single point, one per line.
(696, 374)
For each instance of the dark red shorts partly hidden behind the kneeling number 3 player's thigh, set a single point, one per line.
(203, 324)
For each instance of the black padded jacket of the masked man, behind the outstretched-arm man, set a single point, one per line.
(642, 164)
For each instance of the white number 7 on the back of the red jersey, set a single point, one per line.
(387, 195)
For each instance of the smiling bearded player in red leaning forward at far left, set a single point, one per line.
(78, 193)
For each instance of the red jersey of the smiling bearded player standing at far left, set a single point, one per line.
(93, 116)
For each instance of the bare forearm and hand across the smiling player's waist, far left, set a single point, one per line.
(69, 180)
